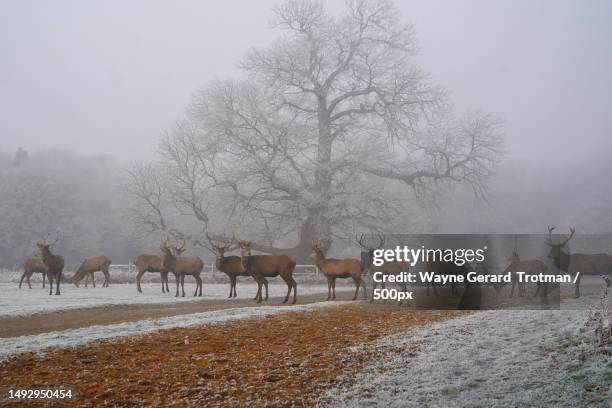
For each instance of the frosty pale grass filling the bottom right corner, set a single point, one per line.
(492, 359)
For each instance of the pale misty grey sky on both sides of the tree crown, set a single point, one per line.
(110, 76)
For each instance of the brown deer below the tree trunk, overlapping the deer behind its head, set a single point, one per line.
(261, 267)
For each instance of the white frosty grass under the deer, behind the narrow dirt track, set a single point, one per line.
(20, 302)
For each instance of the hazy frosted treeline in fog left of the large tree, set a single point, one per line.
(58, 192)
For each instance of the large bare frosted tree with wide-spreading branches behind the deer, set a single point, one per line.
(324, 133)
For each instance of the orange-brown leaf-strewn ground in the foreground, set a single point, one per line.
(280, 360)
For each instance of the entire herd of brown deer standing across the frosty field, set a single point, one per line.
(261, 267)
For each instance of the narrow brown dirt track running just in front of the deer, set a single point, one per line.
(77, 318)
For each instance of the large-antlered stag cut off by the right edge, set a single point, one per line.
(592, 264)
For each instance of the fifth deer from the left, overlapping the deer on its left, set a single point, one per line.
(171, 261)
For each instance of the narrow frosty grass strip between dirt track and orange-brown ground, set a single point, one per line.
(70, 338)
